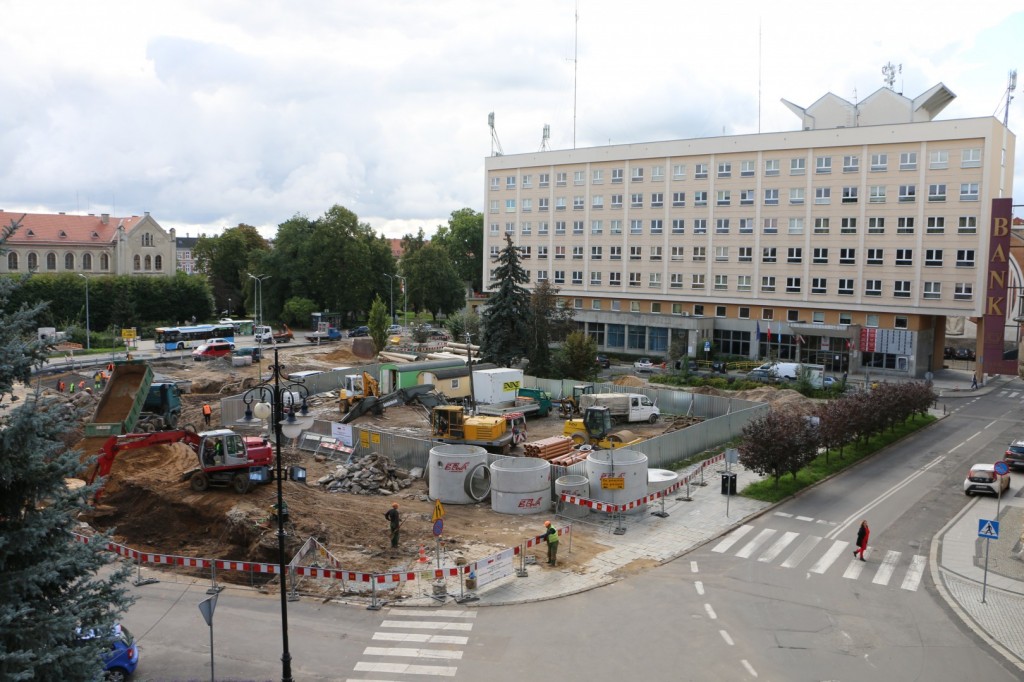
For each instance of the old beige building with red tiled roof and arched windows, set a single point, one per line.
(88, 244)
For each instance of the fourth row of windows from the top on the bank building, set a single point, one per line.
(794, 255)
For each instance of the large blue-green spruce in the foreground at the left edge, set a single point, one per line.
(52, 586)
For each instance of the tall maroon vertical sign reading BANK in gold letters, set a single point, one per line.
(997, 290)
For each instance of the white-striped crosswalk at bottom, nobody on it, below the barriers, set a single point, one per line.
(411, 644)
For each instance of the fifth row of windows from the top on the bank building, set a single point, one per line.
(963, 291)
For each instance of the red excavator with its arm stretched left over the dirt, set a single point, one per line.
(226, 459)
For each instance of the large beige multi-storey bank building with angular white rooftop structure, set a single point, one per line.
(847, 243)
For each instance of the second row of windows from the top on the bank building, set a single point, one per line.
(877, 194)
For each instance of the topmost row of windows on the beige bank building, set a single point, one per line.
(937, 160)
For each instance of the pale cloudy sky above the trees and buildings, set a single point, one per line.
(211, 114)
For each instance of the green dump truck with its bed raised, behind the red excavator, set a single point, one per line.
(133, 403)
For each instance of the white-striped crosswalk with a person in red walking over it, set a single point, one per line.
(821, 557)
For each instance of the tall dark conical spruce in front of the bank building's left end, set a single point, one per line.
(506, 319)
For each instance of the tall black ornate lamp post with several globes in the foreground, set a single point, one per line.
(291, 427)
